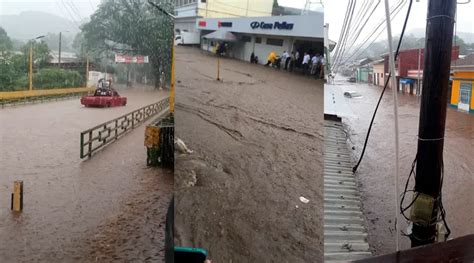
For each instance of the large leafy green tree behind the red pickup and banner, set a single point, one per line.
(132, 27)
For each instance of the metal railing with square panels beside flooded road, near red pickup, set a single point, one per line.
(103, 134)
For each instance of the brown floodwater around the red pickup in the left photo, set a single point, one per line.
(110, 207)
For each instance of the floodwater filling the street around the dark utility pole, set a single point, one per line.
(376, 171)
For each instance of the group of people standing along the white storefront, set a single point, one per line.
(309, 63)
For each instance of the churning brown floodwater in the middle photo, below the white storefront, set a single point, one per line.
(257, 139)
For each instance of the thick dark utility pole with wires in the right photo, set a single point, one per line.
(429, 168)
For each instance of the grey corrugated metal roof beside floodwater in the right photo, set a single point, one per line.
(345, 236)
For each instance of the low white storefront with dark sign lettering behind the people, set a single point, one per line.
(263, 35)
